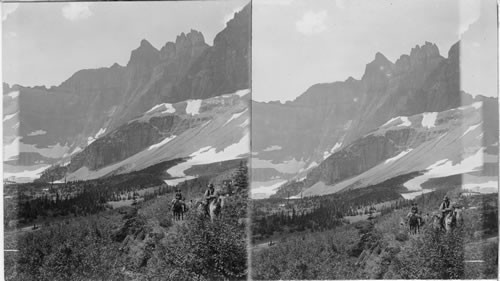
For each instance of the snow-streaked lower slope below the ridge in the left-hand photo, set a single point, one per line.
(198, 131)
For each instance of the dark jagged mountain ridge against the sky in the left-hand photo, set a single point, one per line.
(63, 120)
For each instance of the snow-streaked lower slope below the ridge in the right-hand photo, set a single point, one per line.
(436, 144)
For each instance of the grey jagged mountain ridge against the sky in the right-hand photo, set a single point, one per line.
(328, 117)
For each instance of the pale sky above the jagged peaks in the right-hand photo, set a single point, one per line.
(298, 43)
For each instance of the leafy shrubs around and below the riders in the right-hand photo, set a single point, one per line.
(381, 247)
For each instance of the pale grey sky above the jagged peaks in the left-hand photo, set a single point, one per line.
(45, 43)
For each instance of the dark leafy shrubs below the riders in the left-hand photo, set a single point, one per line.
(137, 243)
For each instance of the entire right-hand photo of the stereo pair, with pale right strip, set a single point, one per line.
(374, 140)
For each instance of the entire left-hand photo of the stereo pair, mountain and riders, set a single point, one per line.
(126, 137)
